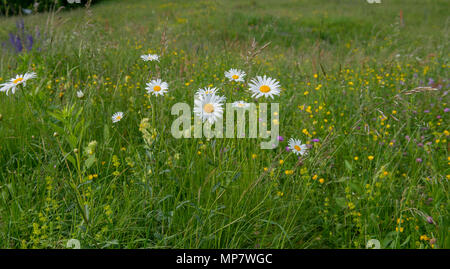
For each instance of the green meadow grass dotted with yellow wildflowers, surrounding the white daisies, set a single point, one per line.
(369, 84)
